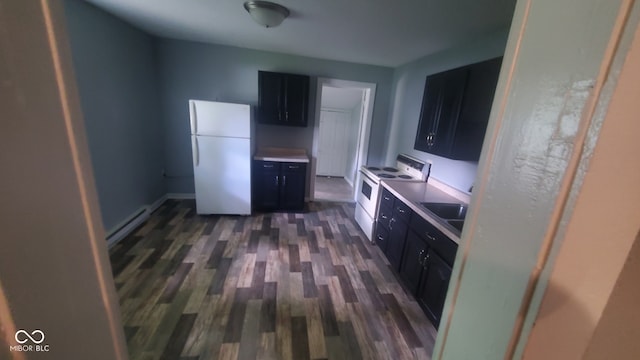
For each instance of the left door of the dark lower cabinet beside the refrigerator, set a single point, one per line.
(266, 185)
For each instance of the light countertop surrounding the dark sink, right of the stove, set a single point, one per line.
(413, 193)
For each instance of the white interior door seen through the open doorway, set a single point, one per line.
(333, 142)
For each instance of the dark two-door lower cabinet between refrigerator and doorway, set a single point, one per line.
(279, 186)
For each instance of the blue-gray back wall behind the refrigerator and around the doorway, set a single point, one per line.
(191, 70)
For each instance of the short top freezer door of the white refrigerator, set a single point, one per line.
(219, 119)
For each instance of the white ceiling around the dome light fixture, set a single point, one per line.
(377, 32)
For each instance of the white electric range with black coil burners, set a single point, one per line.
(407, 169)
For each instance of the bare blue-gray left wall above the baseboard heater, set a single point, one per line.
(116, 75)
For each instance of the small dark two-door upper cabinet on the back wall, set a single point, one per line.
(282, 99)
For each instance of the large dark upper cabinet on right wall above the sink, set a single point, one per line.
(455, 110)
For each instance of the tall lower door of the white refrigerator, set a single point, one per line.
(222, 175)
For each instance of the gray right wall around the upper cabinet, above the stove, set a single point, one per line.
(408, 90)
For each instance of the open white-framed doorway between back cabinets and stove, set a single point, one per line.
(341, 138)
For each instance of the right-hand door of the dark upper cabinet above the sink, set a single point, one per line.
(476, 108)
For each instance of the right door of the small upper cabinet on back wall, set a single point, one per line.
(296, 97)
